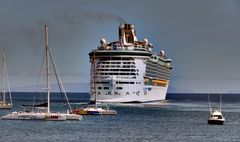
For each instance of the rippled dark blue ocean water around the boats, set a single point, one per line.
(181, 118)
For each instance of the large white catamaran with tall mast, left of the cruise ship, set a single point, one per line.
(41, 112)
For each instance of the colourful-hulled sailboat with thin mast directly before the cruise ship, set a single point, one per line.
(93, 108)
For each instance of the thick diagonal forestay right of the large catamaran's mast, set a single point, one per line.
(60, 84)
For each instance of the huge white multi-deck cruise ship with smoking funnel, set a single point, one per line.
(128, 71)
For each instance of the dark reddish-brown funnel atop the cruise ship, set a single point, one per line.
(127, 34)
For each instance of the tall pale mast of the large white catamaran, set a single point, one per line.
(47, 67)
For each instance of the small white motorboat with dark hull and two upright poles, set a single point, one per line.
(216, 116)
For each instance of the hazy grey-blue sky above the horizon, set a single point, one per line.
(202, 37)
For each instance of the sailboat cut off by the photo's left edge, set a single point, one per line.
(6, 87)
